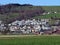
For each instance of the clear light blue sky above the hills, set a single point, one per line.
(33, 2)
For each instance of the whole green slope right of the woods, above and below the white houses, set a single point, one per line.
(50, 9)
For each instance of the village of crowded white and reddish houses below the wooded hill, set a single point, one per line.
(30, 26)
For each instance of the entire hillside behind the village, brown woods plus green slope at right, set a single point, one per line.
(12, 12)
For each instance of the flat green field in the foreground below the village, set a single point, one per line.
(29, 40)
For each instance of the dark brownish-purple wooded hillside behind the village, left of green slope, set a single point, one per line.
(11, 12)
